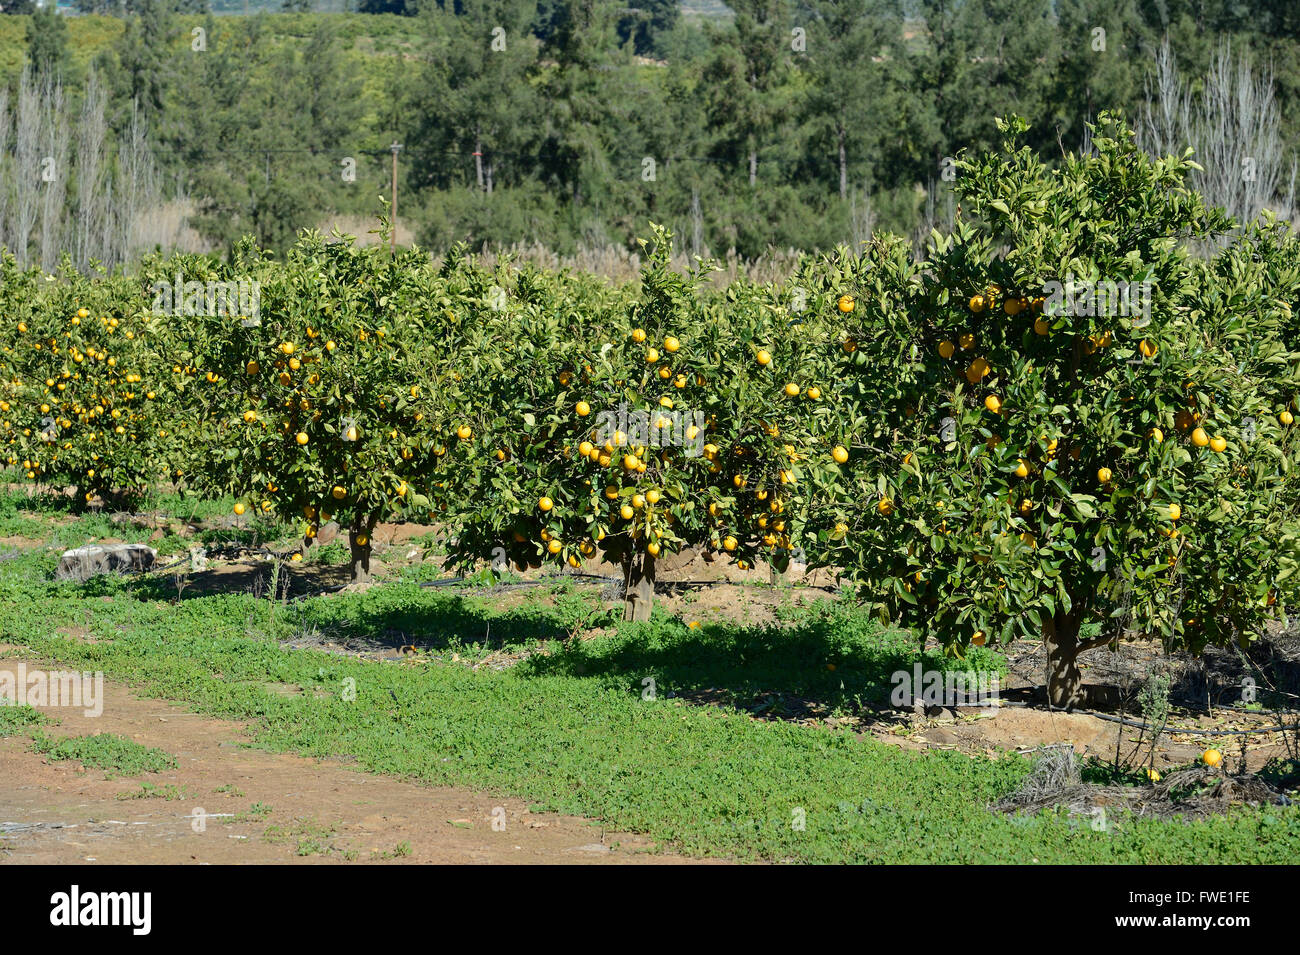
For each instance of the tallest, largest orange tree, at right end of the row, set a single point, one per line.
(1030, 457)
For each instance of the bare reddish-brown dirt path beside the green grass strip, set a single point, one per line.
(261, 808)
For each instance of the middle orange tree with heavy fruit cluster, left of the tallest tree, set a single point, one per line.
(632, 424)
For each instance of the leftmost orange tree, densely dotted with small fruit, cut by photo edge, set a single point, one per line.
(85, 392)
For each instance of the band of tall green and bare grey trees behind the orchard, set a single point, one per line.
(756, 127)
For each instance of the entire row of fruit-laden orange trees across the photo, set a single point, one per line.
(983, 461)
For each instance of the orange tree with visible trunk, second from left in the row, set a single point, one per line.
(324, 406)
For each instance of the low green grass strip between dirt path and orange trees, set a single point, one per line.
(570, 730)
